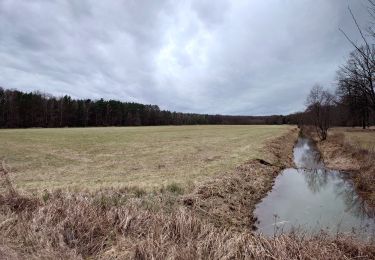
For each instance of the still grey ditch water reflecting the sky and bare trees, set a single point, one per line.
(313, 198)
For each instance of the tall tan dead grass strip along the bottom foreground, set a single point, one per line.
(76, 226)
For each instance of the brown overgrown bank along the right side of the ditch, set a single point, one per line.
(339, 155)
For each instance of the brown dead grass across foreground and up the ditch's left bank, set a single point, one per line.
(130, 223)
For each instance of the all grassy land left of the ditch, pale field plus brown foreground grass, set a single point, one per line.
(212, 221)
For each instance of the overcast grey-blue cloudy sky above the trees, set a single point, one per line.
(257, 57)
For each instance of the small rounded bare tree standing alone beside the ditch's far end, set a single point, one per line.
(319, 105)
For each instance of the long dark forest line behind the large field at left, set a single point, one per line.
(22, 110)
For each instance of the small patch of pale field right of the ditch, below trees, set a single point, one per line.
(364, 139)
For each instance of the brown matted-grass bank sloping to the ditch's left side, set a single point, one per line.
(230, 200)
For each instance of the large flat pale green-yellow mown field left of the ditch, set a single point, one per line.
(80, 158)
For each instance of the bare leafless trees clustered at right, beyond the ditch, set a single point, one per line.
(353, 102)
